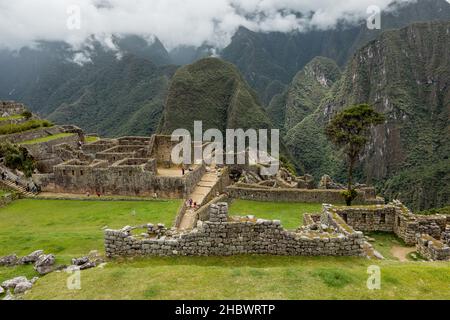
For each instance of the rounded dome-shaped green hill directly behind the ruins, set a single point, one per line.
(213, 91)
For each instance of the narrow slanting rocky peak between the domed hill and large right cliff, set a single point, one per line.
(304, 94)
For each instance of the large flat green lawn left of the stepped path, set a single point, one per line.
(69, 228)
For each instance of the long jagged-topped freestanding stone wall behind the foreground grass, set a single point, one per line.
(223, 236)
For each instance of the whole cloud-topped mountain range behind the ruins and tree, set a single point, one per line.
(292, 77)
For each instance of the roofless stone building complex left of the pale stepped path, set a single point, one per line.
(128, 166)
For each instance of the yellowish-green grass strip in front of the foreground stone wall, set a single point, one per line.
(250, 277)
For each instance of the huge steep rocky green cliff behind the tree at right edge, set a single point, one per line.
(404, 74)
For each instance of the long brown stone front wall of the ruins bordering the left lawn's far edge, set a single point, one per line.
(127, 177)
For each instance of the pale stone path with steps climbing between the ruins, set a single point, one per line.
(199, 195)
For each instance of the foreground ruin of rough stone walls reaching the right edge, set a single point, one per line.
(337, 231)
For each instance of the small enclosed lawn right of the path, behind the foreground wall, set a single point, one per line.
(290, 214)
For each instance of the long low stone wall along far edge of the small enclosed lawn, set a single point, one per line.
(296, 195)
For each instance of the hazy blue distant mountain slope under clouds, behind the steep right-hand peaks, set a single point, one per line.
(274, 57)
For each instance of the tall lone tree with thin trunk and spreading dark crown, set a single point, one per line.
(350, 131)
